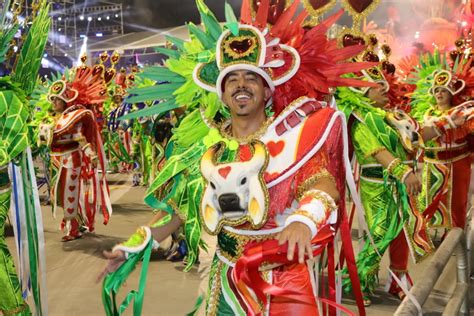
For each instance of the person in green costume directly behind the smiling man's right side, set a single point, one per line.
(387, 183)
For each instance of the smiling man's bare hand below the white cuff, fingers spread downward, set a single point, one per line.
(297, 234)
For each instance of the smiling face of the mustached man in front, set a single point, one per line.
(245, 93)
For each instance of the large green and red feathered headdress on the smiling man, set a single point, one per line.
(293, 60)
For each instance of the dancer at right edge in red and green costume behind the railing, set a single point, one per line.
(442, 104)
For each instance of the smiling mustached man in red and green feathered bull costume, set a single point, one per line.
(270, 175)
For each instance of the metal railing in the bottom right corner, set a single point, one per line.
(455, 241)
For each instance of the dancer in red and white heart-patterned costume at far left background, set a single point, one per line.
(77, 153)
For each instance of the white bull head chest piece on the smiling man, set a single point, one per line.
(235, 192)
